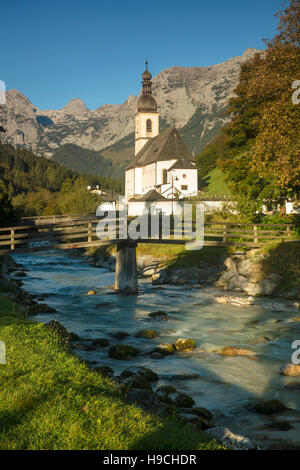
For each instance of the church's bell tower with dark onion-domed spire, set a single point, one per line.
(147, 117)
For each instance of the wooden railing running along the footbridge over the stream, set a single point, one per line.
(81, 233)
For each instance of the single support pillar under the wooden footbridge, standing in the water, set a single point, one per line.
(126, 270)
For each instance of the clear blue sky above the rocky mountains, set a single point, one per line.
(55, 51)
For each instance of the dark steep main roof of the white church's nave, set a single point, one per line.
(165, 146)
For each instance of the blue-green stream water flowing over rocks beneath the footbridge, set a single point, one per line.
(226, 384)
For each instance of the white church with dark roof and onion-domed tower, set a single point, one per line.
(163, 169)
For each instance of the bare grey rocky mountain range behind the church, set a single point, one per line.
(192, 97)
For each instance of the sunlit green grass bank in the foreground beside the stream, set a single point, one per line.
(49, 399)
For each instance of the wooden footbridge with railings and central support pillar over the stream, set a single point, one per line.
(71, 232)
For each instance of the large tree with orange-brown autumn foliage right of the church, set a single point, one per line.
(262, 141)
